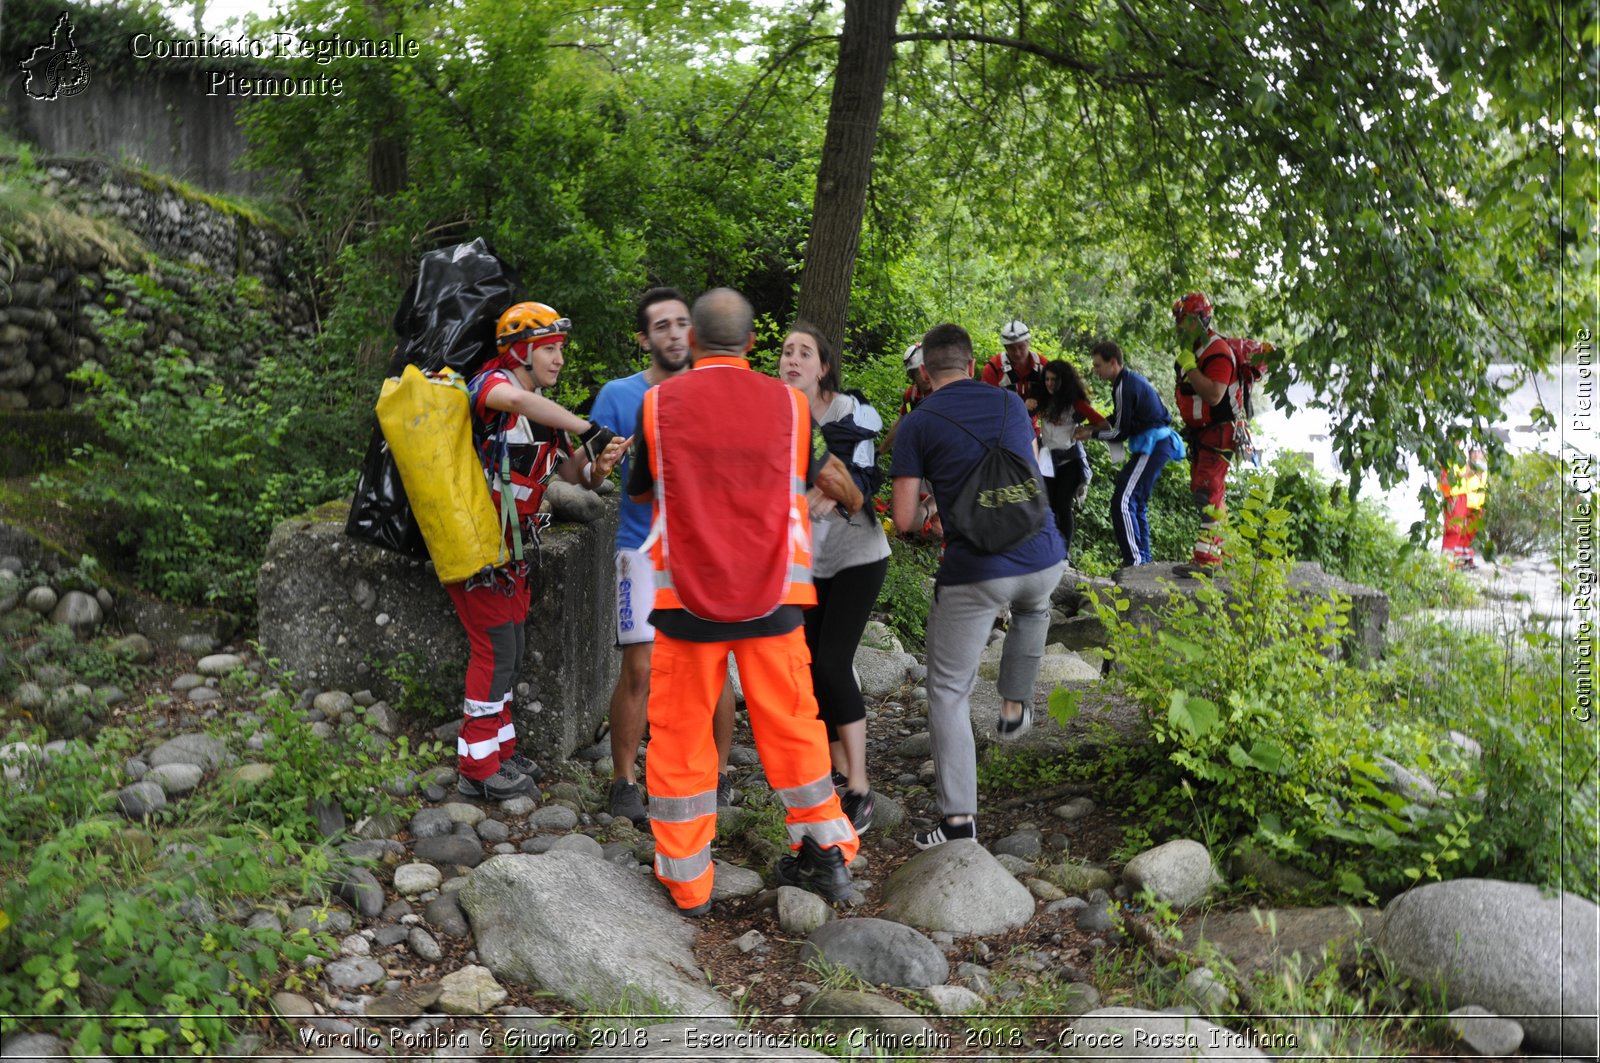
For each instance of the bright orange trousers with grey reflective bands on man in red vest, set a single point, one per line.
(681, 763)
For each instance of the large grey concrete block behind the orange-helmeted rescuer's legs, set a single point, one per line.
(338, 614)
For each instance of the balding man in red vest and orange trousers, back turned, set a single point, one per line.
(726, 457)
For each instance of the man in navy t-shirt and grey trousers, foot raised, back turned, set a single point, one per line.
(972, 587)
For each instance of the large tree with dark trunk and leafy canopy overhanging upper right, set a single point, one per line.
(1375, 183)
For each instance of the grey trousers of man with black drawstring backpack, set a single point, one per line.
(959, 625)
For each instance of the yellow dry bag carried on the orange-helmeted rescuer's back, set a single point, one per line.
(428, 427)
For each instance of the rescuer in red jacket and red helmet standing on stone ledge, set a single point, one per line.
(1210, 403)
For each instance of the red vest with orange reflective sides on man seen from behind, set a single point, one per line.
(729, 454)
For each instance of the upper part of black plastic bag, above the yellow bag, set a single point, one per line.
(450, 310)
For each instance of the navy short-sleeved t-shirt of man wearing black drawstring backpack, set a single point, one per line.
(937, 451)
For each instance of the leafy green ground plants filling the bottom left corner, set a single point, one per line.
(100, 923)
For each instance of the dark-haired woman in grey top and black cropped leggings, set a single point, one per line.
(850, 556)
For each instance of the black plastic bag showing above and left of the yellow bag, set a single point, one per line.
(447, 318)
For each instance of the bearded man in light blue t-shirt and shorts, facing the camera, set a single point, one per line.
(663, 319)
